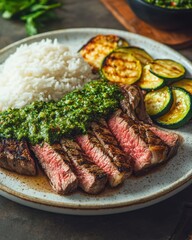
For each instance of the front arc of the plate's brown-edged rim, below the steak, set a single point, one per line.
(147, 201)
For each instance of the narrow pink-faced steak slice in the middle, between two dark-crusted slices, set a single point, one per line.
(97, 154)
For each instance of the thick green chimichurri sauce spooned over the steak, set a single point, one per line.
(49, 121)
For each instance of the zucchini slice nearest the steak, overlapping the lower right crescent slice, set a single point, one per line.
(158, 102)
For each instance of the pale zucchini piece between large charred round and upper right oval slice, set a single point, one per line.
(149, 81)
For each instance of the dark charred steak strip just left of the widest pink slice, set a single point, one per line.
(110, 144)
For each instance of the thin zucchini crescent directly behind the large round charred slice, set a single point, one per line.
(137, 52)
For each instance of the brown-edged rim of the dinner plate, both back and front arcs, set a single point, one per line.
(28, 201)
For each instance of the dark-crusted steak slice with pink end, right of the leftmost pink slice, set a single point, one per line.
(91, 178)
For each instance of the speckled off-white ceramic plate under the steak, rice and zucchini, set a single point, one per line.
(136, 192)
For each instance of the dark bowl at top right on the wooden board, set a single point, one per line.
(161, 17)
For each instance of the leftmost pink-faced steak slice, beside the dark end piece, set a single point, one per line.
(57, 167)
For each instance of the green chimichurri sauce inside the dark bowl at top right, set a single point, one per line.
(171, 3)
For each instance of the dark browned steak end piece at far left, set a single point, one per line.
(16, 156)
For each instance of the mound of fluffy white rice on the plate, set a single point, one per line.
(41, 71)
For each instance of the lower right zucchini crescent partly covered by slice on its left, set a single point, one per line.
(180, 112)
